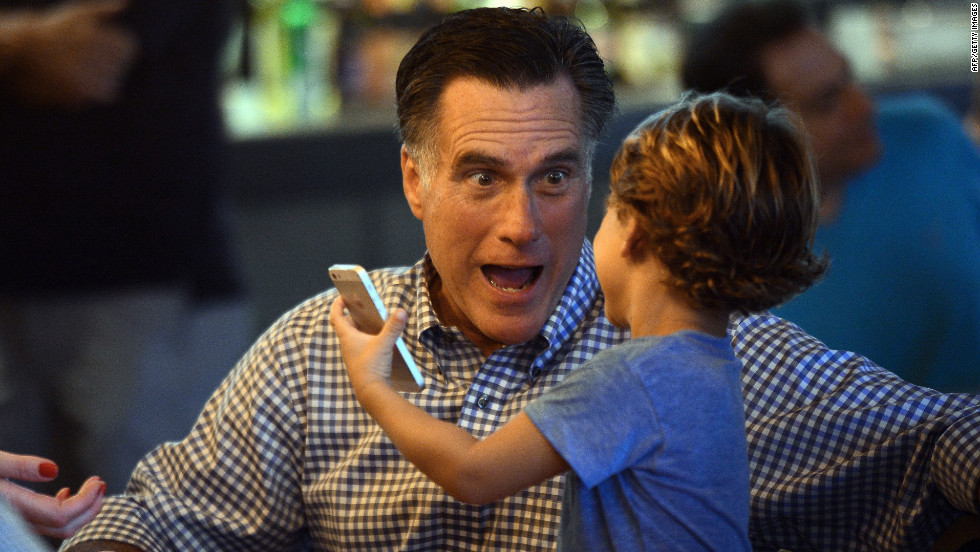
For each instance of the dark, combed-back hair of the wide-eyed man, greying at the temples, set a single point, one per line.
(509, 48)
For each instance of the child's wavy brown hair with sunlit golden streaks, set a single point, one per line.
(725, 193)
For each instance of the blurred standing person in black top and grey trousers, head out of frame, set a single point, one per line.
(118, 287)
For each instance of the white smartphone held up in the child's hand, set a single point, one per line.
(369, 313)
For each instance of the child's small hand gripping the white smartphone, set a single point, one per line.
(367, 357)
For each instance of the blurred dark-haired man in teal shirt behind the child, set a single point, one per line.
(900, 197)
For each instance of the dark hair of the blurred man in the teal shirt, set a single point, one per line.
(725, 54)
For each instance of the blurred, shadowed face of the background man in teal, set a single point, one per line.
(805, 72)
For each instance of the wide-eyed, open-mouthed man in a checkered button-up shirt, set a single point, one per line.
(499, 112)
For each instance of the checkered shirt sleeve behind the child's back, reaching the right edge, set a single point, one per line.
(843, 451)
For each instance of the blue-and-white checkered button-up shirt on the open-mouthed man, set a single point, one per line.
(282, 458)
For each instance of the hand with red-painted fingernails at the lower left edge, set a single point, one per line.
(58, 516)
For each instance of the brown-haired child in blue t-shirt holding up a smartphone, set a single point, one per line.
(712, 210)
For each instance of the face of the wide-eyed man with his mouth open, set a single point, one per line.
(504, 208)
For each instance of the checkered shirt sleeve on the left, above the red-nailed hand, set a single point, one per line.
(233, 483)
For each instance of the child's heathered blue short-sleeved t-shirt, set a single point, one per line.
(654, 431)
